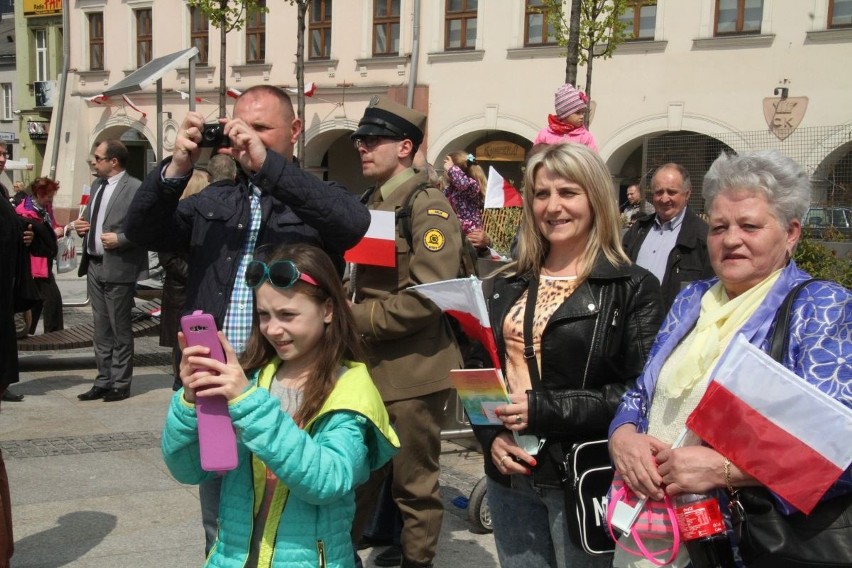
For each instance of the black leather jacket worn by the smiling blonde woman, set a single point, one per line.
(593, 347)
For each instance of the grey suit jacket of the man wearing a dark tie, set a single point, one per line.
(127, 262)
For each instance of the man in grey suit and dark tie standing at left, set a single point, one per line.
(112, 265)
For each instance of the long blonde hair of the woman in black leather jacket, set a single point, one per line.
(580, 165)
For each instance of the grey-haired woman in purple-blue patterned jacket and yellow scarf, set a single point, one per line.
(755, 203)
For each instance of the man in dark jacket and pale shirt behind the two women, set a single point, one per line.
(671, 243)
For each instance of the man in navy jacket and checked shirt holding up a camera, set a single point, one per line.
(271, 202)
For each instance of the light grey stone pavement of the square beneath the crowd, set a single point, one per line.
(90, 490)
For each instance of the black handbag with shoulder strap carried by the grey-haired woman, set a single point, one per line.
(769, 538)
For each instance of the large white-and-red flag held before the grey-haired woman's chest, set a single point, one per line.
(784, 432)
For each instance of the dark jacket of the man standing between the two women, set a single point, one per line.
(687, 261)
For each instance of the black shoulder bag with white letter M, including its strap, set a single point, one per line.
(586, 469)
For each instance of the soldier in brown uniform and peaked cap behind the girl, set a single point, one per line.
(411, 345)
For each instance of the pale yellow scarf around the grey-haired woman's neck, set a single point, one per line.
(719, 319)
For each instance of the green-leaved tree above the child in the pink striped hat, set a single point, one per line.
(592, 29)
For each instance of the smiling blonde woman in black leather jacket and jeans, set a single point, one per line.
(593, 319)
